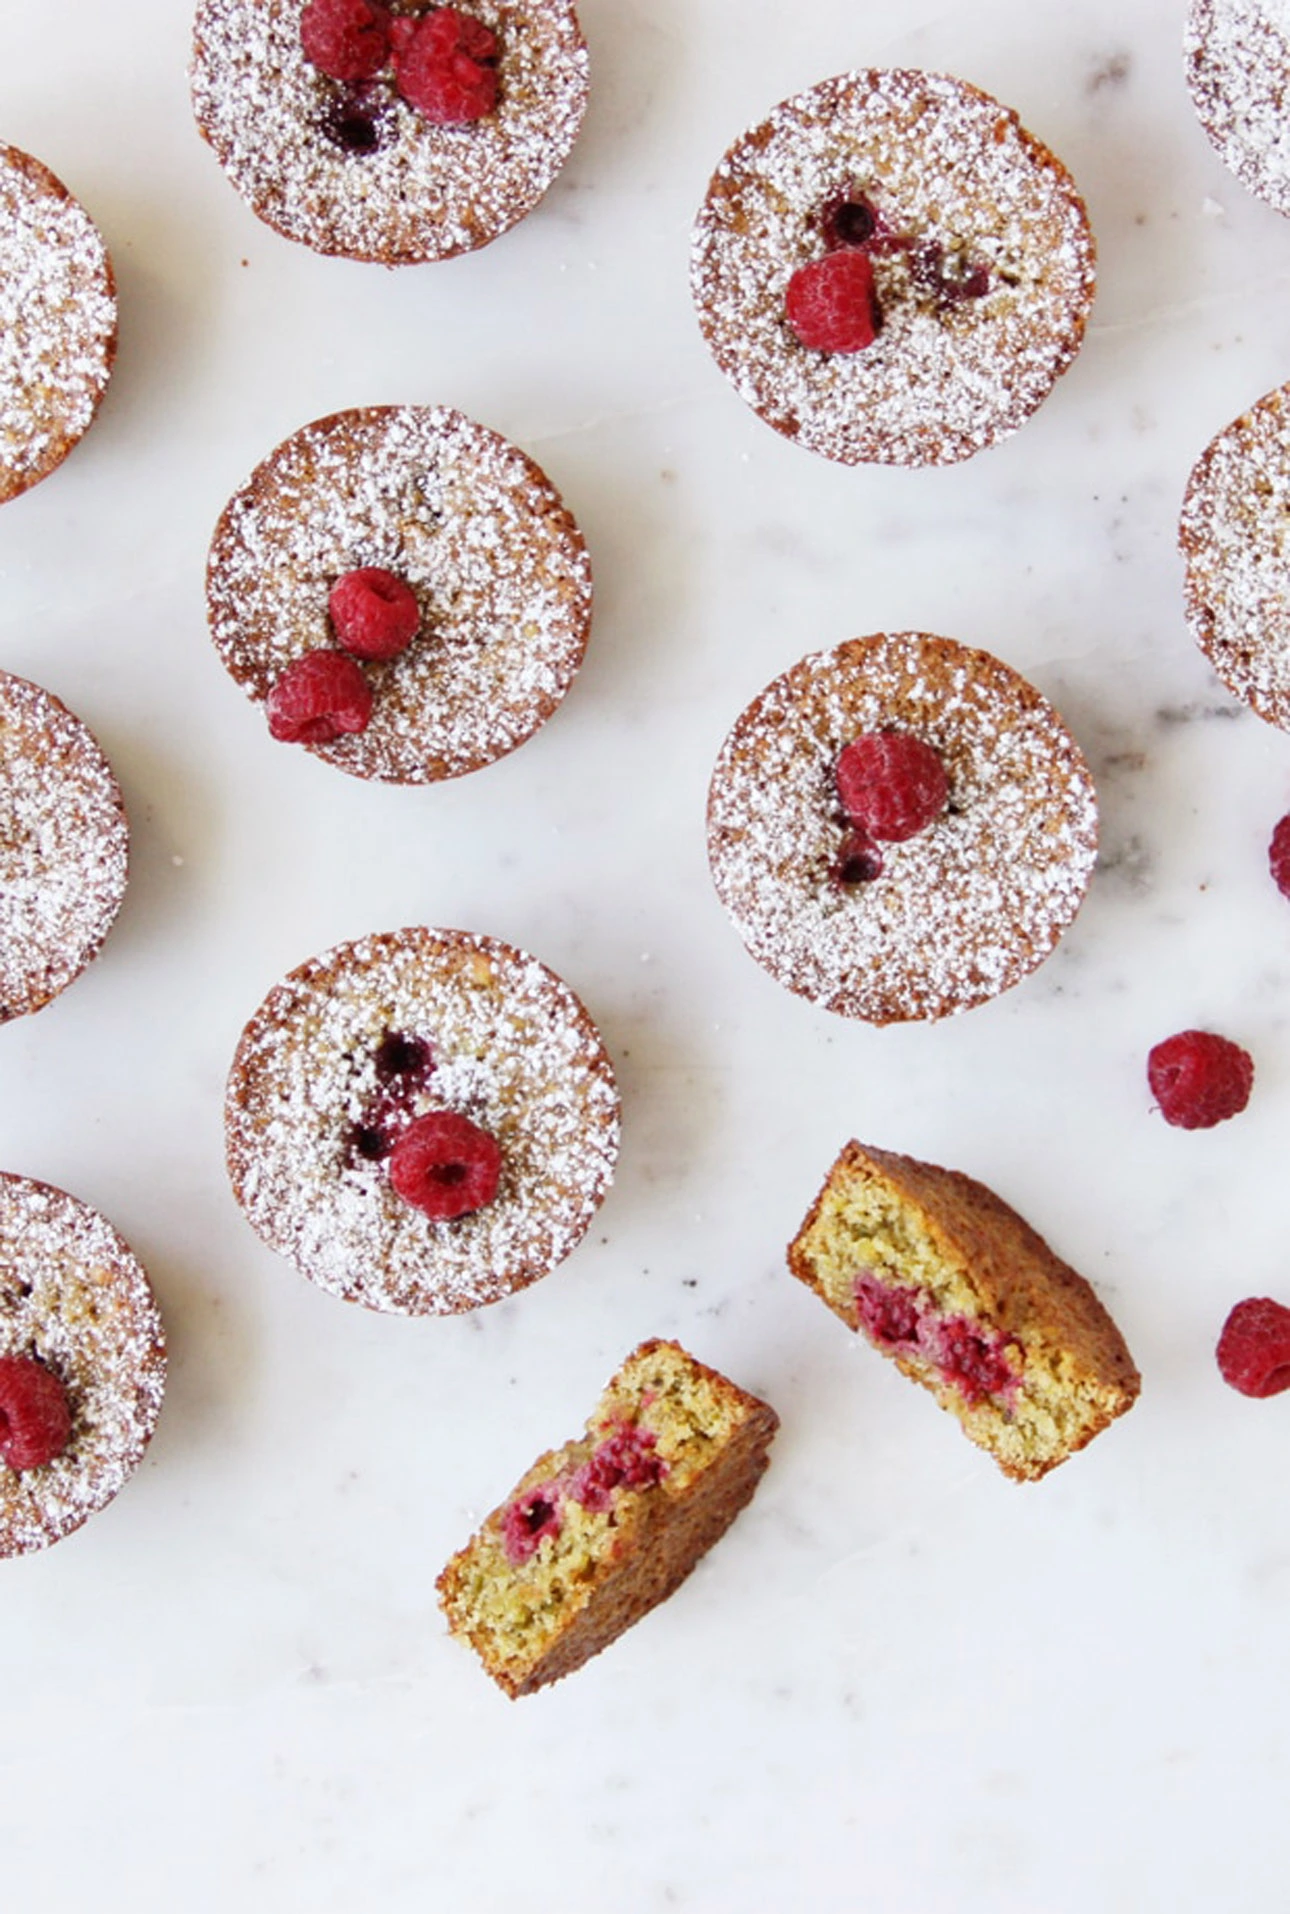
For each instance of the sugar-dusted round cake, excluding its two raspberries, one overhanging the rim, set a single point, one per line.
(481, 537)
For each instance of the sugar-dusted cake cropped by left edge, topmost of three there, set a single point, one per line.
(58, 321)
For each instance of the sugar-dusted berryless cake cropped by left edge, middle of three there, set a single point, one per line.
(64, 847)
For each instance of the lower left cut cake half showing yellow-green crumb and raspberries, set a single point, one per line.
(606, 1528)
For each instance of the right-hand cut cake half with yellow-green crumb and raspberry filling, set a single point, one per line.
(966, 1299)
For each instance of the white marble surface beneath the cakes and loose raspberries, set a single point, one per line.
(902, 1683)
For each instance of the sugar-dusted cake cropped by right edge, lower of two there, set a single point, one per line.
(1232, 535)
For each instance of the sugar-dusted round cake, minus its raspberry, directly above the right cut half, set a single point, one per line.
(960, 912)
